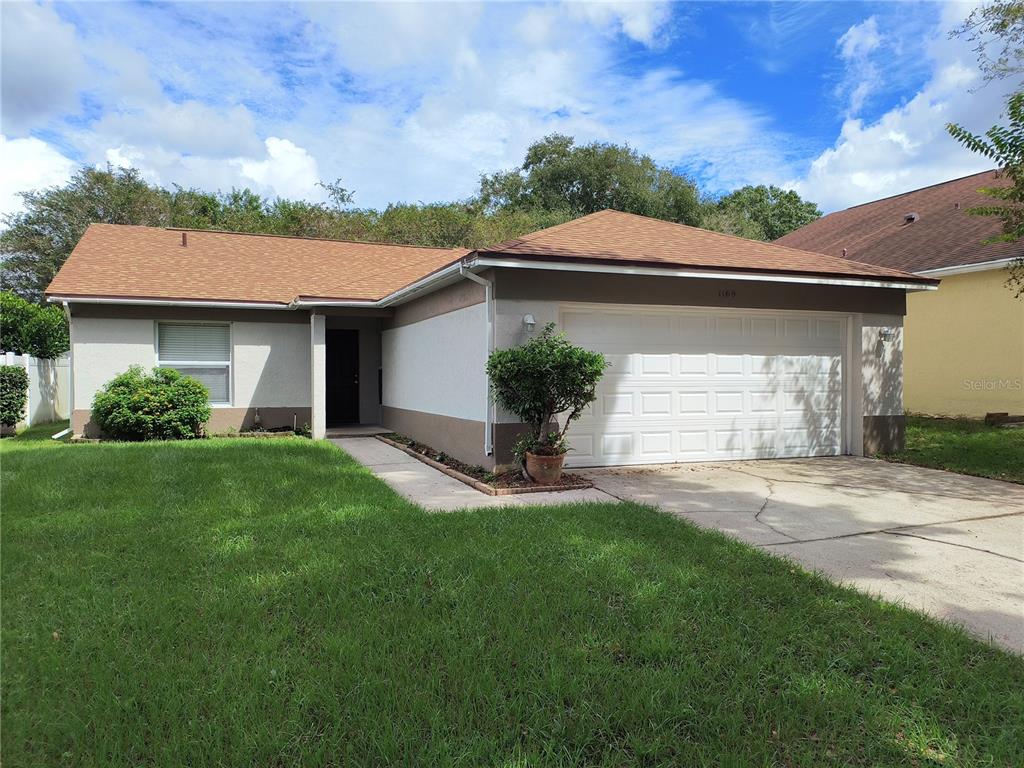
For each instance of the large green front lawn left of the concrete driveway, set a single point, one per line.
(272, 604)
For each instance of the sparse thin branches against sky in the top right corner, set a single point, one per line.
(998, 32)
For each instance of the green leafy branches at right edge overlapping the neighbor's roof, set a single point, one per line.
(1005, 147)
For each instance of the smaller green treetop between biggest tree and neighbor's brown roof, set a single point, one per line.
(770, 211)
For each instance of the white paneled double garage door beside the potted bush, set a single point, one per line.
(708, 386)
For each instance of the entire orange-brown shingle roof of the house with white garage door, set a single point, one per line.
(139, 263)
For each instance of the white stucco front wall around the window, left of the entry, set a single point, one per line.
(270, 361)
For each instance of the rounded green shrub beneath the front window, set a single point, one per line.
(161, 406)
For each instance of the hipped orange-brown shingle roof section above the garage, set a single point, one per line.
(614, 237)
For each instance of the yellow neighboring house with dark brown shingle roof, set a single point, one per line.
(964, 345)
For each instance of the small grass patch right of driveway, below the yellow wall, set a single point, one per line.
(964, 446)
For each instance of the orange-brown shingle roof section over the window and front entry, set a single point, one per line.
(114, 261)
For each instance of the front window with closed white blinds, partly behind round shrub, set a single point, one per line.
(201, 351)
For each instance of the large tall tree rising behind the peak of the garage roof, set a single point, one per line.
(559, 177)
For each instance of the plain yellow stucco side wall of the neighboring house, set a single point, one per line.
(965, 348)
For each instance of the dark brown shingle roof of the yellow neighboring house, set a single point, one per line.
(944, 235)
